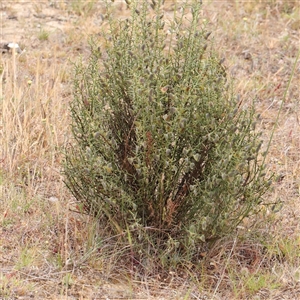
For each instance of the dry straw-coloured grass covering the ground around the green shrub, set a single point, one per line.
(47, 251)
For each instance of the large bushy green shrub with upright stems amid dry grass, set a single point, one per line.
(162, 152)
